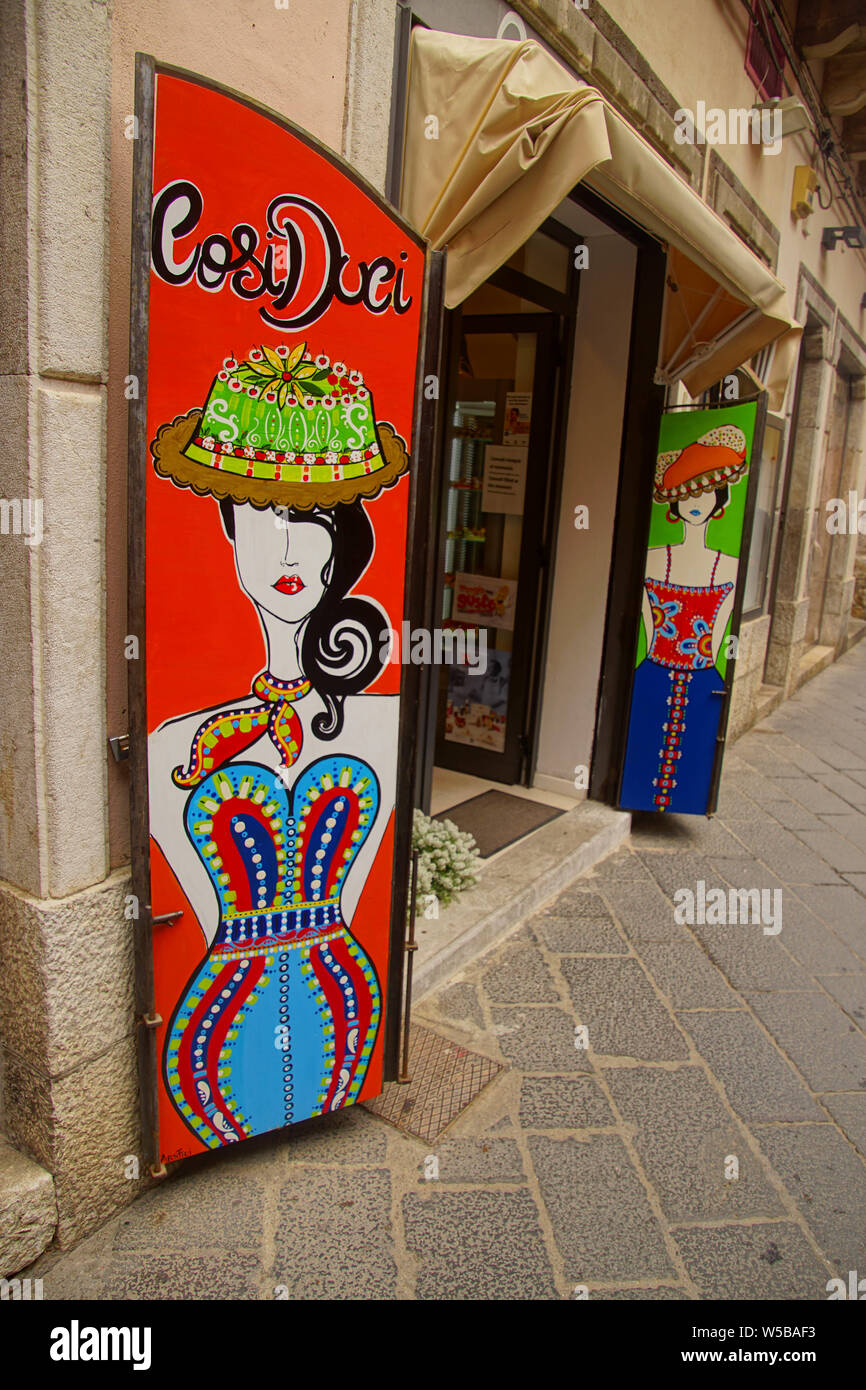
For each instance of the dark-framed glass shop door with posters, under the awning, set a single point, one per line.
(497, 469)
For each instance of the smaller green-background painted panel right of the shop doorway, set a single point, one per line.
(692, 580)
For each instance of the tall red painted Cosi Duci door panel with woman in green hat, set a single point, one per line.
(283, 344)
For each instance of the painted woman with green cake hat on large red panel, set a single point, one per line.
(263, 808)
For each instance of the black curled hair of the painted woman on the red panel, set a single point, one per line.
(340, 626)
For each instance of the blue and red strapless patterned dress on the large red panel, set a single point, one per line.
(280, 1020)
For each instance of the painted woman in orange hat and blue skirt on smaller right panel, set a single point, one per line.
(689, 597)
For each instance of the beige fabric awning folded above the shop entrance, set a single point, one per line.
(500, 133)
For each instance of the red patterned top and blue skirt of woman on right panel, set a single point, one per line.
(676, 701)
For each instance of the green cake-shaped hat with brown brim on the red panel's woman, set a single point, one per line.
(283, 429)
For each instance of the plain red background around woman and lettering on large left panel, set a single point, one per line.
(204, 640)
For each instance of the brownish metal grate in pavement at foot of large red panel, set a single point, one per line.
(446, 1079)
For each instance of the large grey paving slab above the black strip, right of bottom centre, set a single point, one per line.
(604, 1225)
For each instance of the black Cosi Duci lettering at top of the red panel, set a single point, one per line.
(276, 269)
